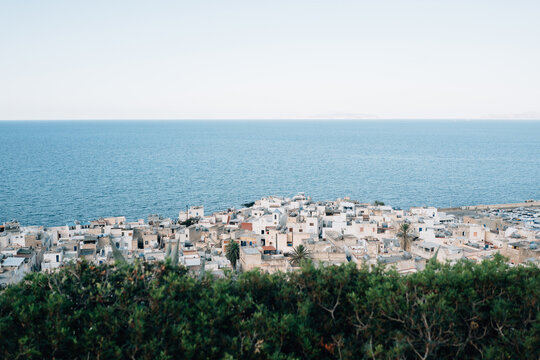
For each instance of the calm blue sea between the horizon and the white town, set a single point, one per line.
(54, 172)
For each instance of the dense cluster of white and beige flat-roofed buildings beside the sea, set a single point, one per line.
(268, 231)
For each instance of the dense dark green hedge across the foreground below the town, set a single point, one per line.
(143, 311)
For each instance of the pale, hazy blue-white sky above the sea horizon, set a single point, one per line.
(293, 59)
